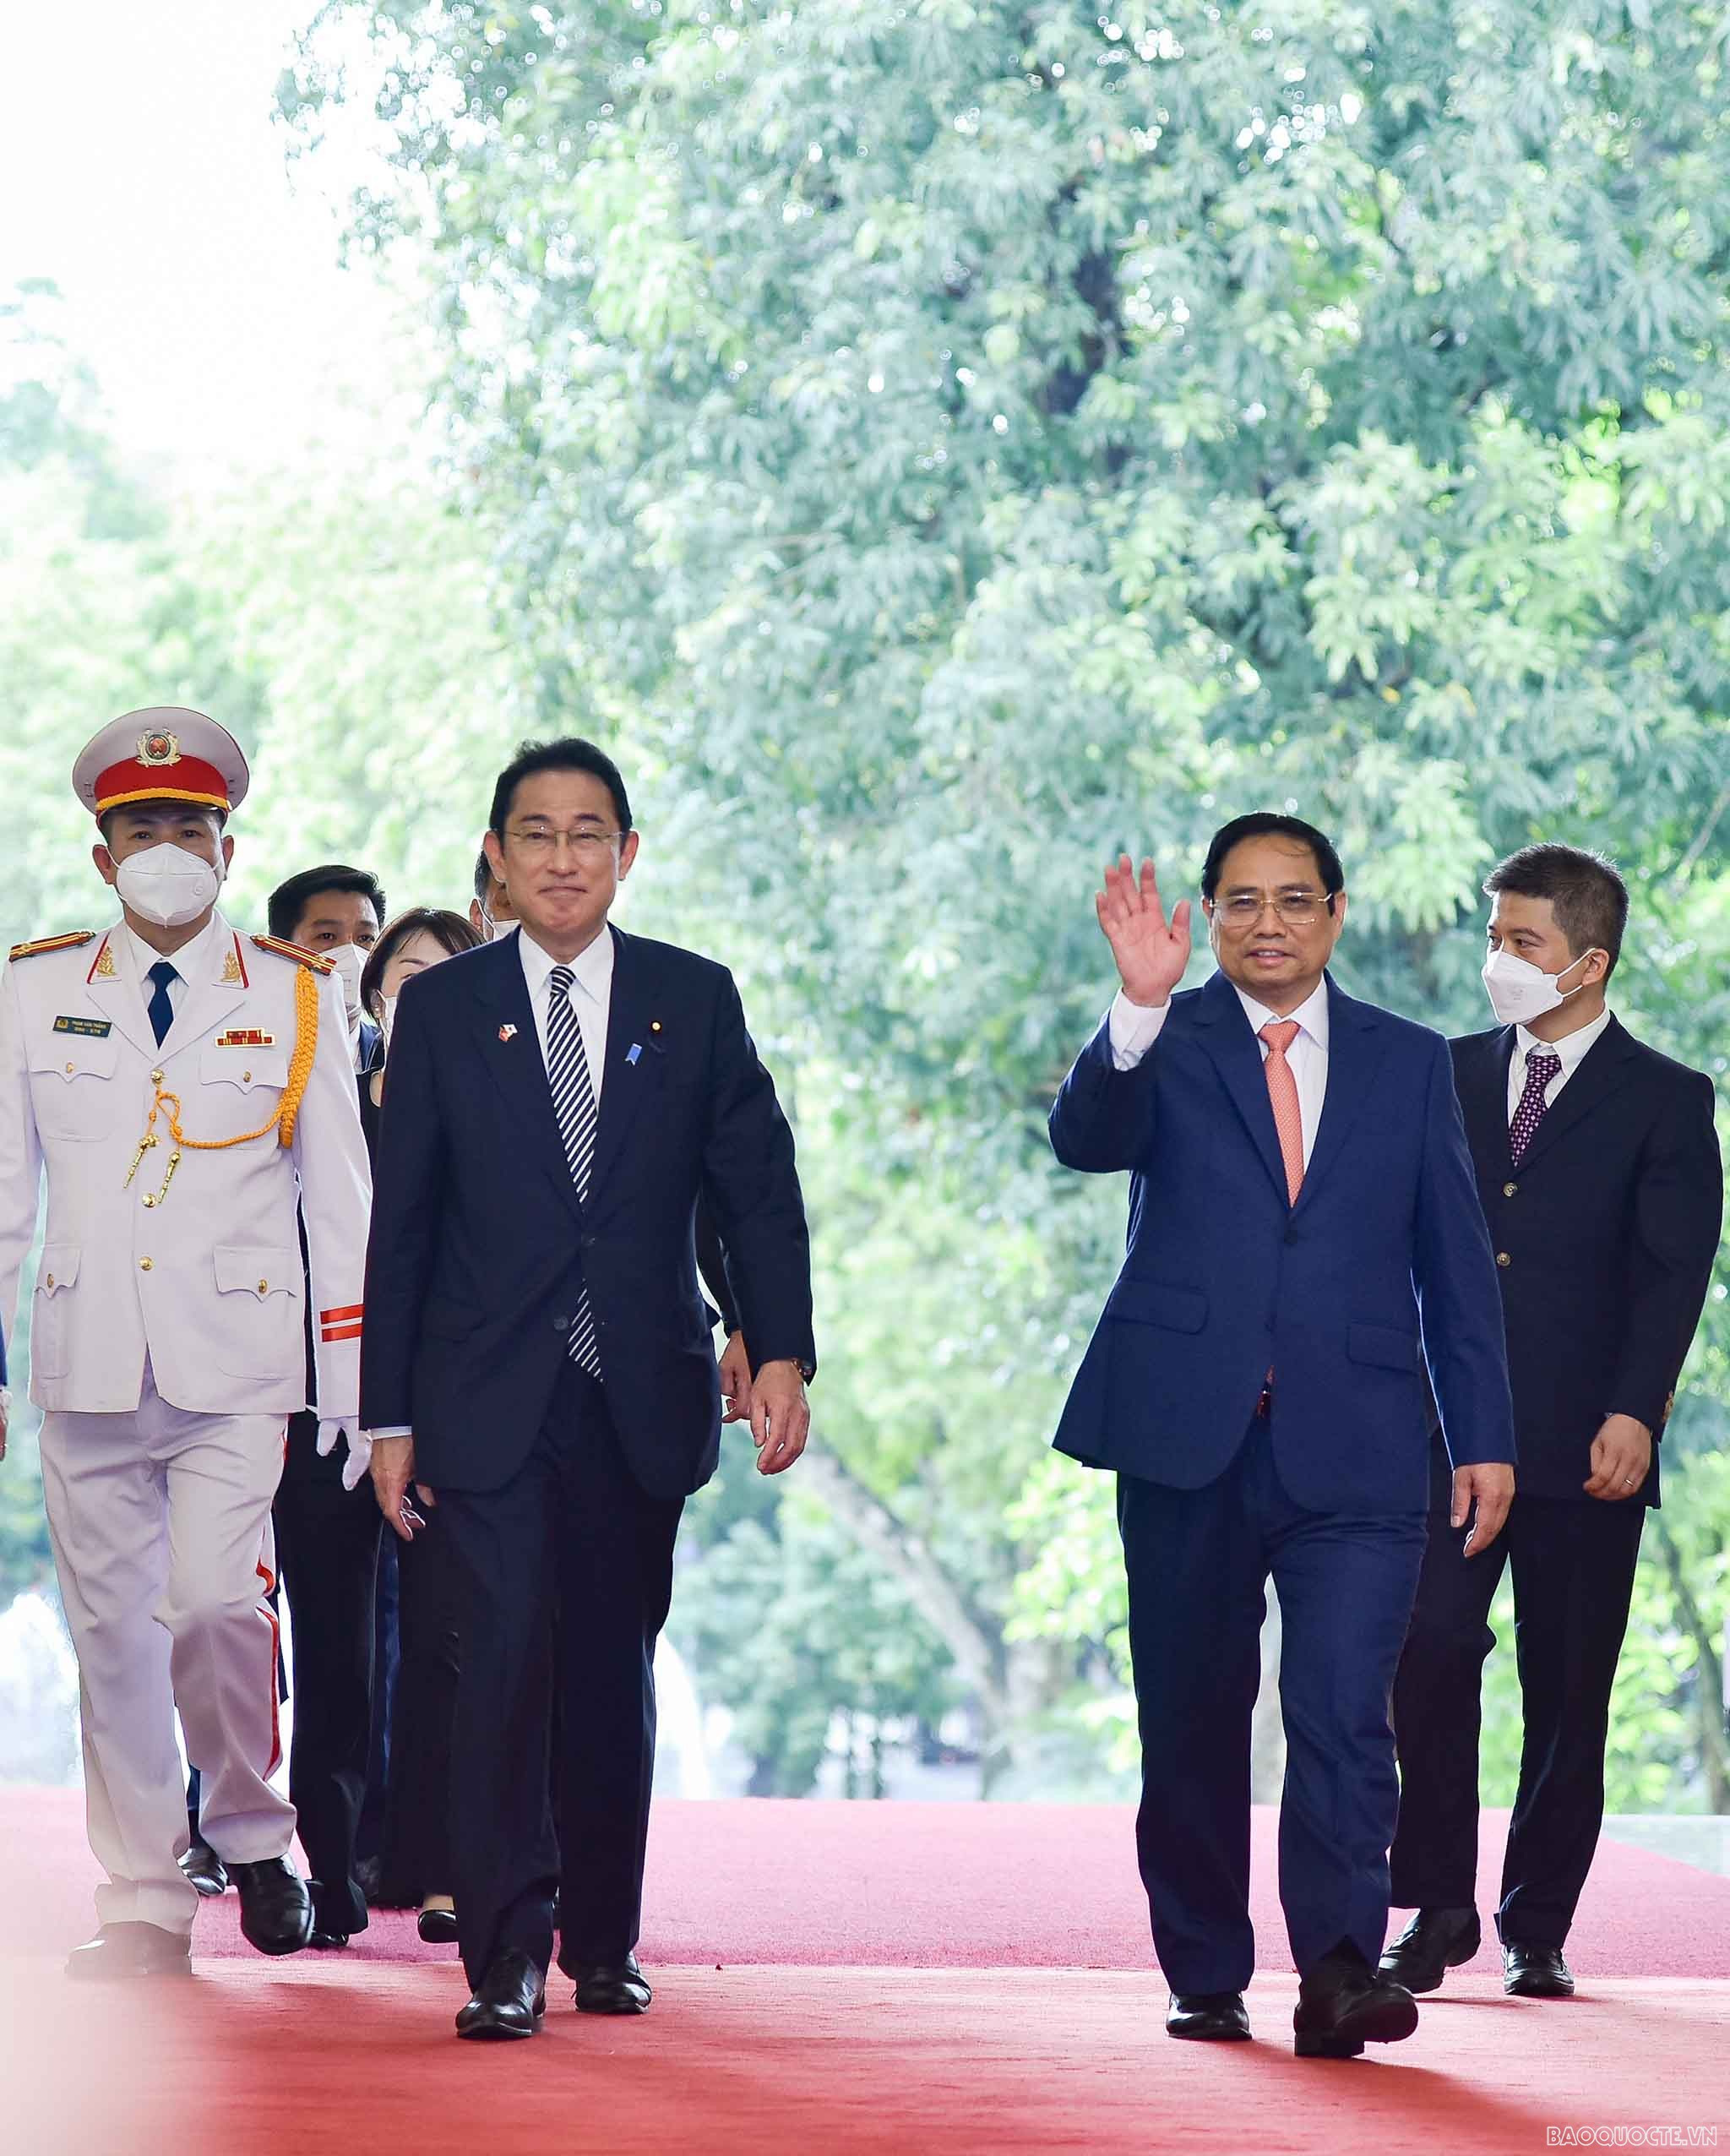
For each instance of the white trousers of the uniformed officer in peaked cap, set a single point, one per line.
(161, 1528)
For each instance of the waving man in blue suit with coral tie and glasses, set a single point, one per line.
(1302, 1236)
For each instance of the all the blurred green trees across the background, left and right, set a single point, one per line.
(938, 445)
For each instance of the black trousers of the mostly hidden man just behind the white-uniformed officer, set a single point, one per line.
(329, 1558)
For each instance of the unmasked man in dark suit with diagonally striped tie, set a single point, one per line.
(540, 1366)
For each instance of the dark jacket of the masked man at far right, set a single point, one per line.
(1608, 1230)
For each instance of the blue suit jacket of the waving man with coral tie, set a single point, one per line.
(1225, 1280)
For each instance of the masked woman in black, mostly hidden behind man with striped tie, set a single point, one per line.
(417, 1849)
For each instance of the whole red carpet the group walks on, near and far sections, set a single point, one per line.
(925, 1978)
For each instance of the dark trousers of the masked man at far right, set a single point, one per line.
(1574, 1577)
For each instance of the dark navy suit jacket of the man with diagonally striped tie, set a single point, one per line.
(482, 1245)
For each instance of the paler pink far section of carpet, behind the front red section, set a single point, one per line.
(923, 1888)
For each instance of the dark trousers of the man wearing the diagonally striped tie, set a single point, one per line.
(570, 1543)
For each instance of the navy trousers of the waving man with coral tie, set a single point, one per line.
(1199, 1564)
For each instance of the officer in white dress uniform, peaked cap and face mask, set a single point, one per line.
(184, 1088)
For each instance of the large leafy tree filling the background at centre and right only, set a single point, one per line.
(964, 439)
